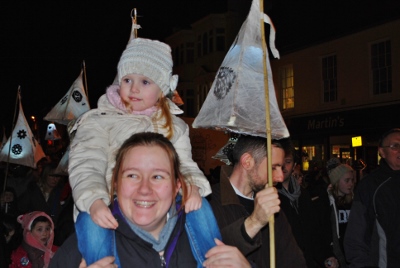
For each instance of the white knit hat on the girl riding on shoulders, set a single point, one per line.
(150, 58)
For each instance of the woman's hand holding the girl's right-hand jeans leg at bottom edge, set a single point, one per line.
(225, 256)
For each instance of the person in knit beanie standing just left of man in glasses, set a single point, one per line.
(340, 192)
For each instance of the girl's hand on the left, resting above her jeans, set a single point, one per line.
(102, 216)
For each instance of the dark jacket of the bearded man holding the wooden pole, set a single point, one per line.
(230, 215)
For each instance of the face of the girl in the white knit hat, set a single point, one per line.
(138, 92)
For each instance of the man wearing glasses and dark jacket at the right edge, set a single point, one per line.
(372, 237)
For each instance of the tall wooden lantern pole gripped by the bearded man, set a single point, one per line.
(271, 221)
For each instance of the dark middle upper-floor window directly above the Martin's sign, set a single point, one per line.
(329, 78)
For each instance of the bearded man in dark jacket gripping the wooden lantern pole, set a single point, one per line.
(243, 203)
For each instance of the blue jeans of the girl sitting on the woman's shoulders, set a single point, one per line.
(95, 242)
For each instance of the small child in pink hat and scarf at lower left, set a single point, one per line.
(37, 247)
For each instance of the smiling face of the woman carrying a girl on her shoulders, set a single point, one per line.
(146, 188)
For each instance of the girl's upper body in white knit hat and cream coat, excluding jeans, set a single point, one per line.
(138, 104)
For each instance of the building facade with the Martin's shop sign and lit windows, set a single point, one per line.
(336, 90)
